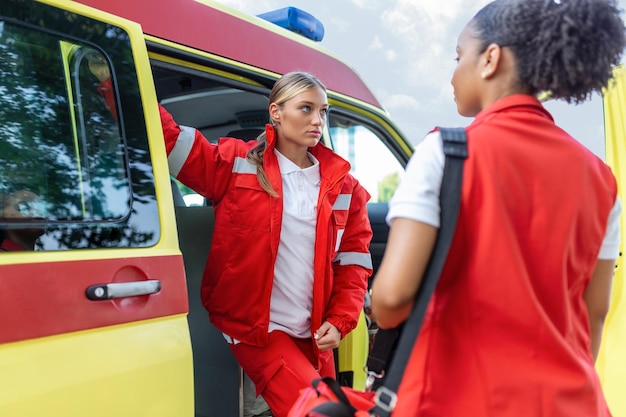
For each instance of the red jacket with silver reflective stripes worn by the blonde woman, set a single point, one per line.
(237, 281)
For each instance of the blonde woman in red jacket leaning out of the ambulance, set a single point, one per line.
(288, 267)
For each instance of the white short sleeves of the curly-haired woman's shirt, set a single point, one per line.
(418, 198)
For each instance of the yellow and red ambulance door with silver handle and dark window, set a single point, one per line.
(93, 299)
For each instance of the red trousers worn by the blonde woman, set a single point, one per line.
(282, 368)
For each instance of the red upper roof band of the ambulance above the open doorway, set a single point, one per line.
(248, 39)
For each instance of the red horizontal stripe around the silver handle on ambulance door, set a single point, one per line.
(57, 302)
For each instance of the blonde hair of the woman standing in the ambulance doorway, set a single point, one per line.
(286, 87)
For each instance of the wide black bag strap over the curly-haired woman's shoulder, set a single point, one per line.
(455, 150)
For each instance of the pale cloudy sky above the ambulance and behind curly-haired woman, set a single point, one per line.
(404, 50)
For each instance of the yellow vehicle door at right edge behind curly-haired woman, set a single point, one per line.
(611, 363)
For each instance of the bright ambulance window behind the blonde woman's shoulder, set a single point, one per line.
(371, 160)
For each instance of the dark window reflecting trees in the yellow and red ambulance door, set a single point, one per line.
(64, 174)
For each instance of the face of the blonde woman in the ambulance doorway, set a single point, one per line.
(300, 120)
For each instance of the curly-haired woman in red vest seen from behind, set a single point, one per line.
(514, 325)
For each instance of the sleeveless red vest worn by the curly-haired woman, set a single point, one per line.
(507, 332)
